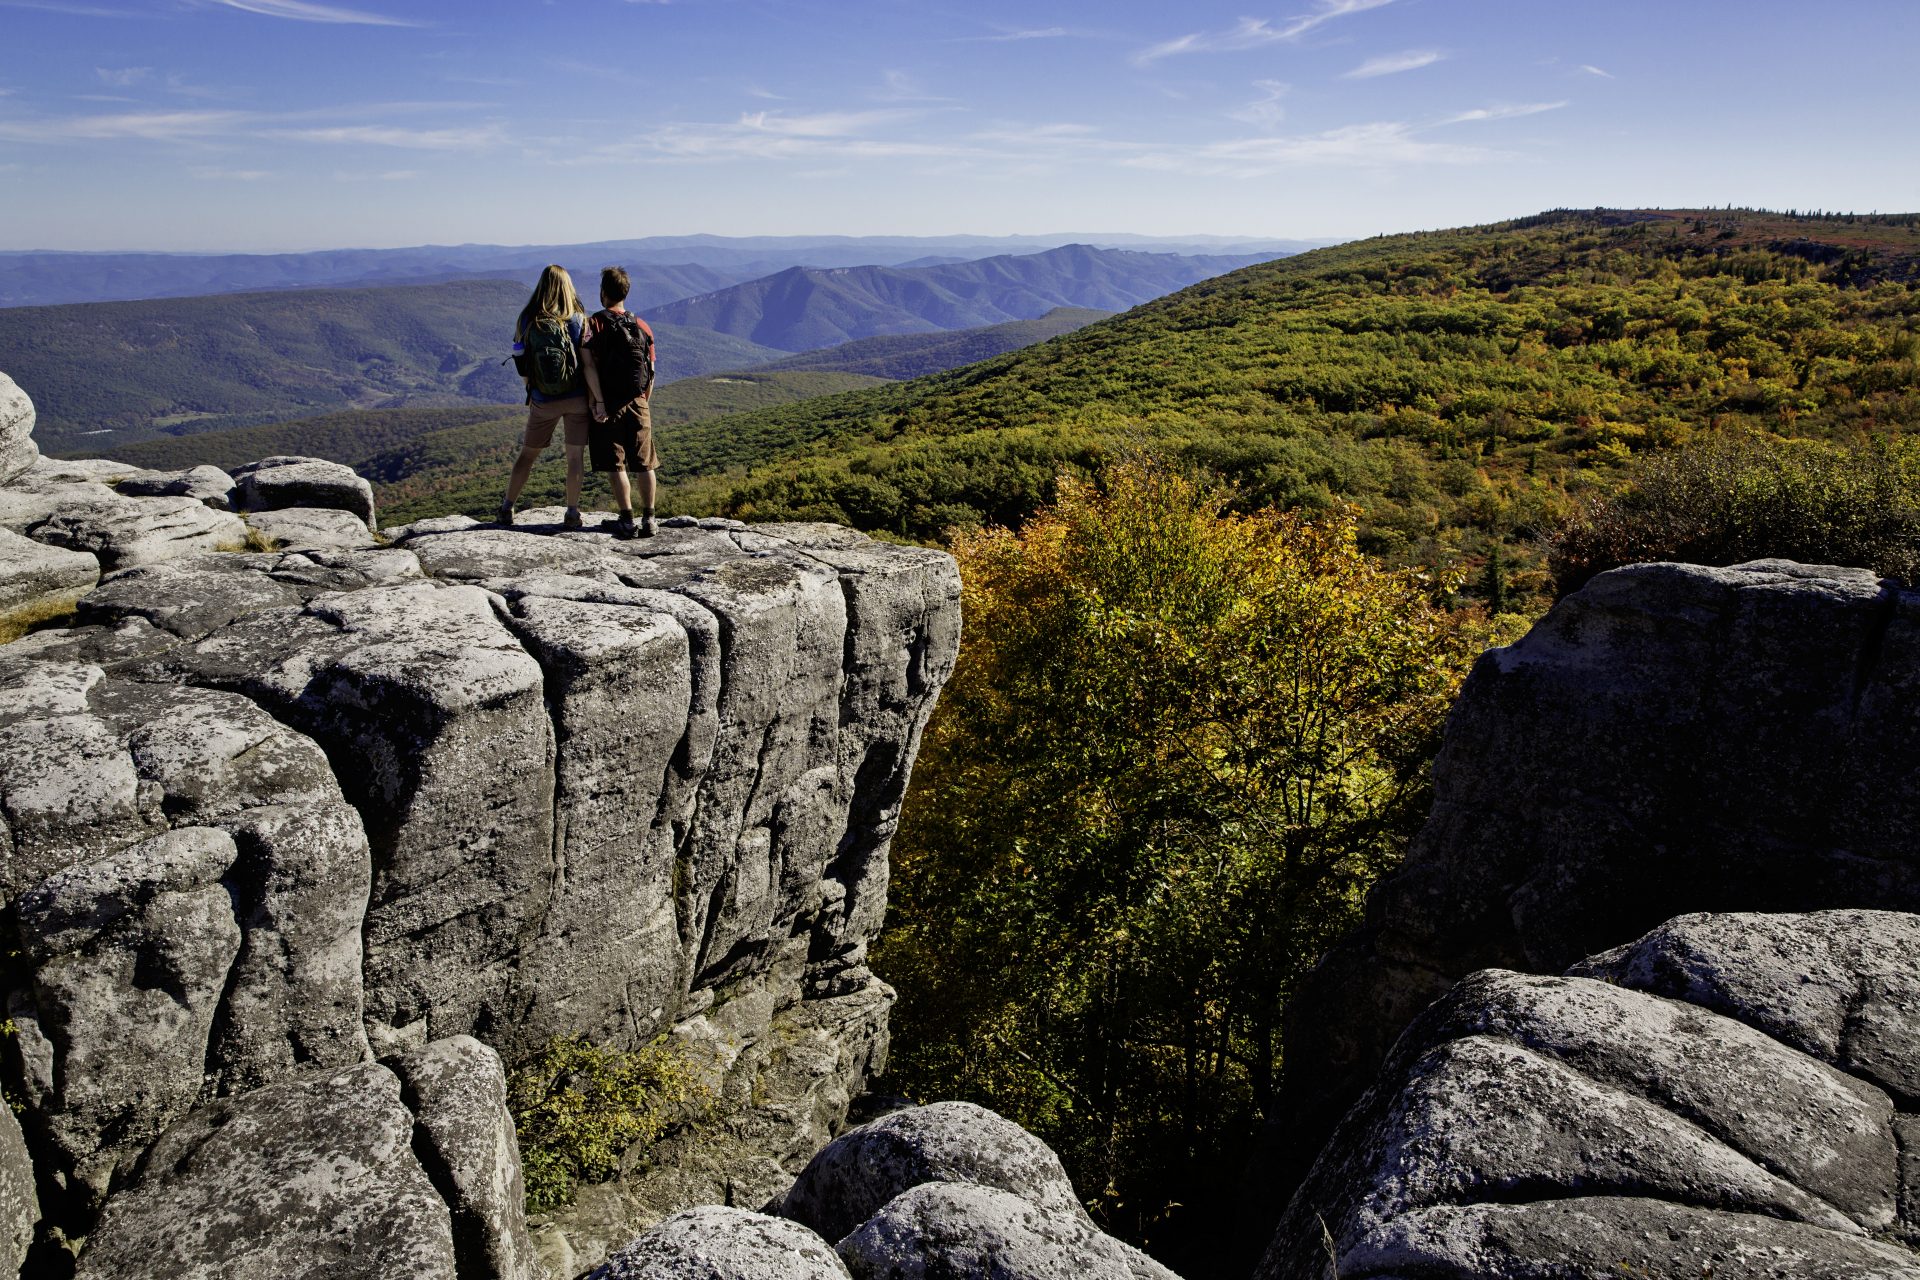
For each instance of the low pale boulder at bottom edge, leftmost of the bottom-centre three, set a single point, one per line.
(725, 1244)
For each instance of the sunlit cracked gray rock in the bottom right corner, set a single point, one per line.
(1708, 1101)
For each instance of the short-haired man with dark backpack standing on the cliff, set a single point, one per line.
(621, 350)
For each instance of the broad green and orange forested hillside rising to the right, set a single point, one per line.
(1462, 389)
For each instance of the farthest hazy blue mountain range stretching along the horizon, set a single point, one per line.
(665, 266)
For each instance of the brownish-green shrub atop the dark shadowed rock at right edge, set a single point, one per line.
(1725, 500)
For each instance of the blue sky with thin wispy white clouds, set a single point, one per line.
(293, 124)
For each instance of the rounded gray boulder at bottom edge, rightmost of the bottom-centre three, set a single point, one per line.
(963, 1231)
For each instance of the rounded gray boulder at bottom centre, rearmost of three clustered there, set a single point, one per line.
(944, 1143)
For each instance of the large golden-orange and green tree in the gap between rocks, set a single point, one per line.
(1178, 749)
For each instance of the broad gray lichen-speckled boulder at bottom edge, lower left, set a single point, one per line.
(310, 1179)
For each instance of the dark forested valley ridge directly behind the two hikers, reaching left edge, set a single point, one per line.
(116, 373)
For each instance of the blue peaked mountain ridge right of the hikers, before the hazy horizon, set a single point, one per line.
(804, 310)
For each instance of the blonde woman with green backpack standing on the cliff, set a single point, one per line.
(550, 352)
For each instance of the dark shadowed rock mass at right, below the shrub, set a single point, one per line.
(1668, 740)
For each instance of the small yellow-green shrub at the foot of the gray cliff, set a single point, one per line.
(579, 1108)
